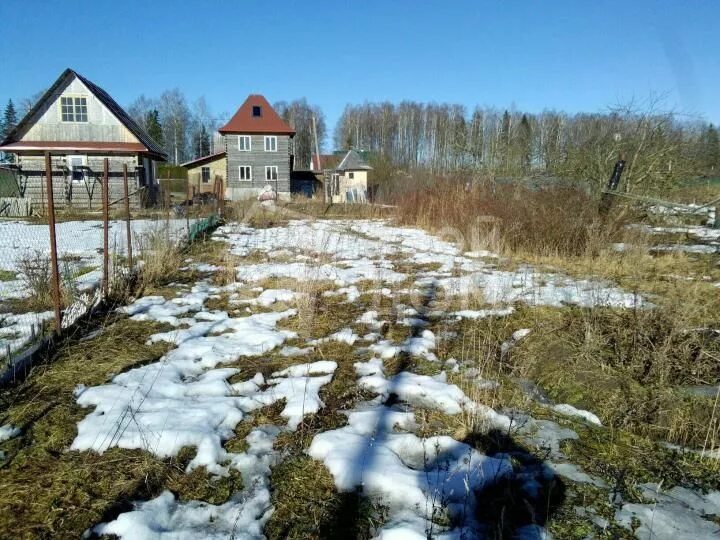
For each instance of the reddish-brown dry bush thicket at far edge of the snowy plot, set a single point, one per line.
(554, 221)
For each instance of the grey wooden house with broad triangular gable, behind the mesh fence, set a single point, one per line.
(81, 125)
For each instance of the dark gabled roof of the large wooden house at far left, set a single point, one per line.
(147, 144)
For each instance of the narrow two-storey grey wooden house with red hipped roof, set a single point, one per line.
(258, 150)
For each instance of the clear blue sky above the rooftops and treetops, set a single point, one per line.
(572, 55)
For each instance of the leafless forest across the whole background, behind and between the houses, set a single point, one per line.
(662, 148)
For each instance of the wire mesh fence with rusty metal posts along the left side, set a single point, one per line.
(58, 260)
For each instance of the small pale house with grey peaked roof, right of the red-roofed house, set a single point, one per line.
(345, 176)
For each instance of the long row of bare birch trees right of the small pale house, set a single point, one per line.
(660, 147)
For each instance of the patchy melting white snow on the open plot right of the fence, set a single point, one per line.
(430, 485)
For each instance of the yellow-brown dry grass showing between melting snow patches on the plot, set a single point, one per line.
(638, 369)
